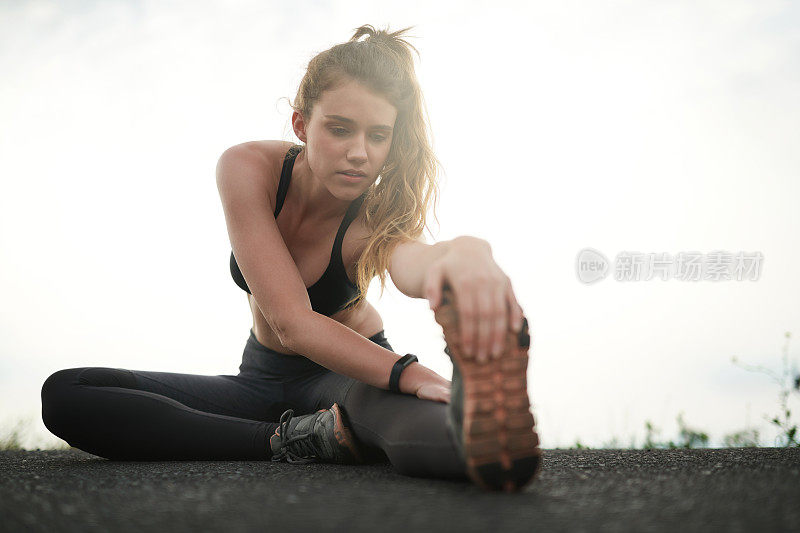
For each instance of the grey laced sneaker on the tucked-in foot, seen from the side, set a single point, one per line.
(320, 437)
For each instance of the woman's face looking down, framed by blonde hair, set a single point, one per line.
(350, 130)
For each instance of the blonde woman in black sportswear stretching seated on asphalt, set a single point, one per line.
(319, 380)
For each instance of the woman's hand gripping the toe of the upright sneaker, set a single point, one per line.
(485, 301)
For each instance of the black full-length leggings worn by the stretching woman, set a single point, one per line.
(137, 415)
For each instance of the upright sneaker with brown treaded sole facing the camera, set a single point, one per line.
(489, 411)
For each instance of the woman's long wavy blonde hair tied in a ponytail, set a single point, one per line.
(397, 203)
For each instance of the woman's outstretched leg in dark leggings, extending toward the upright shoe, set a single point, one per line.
(412, 433)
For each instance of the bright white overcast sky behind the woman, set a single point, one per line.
(622, 126)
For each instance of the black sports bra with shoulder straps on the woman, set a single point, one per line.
(334, 289)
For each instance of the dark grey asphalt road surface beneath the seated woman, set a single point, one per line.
(741, 489)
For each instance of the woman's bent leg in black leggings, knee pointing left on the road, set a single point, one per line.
(137, 415)
